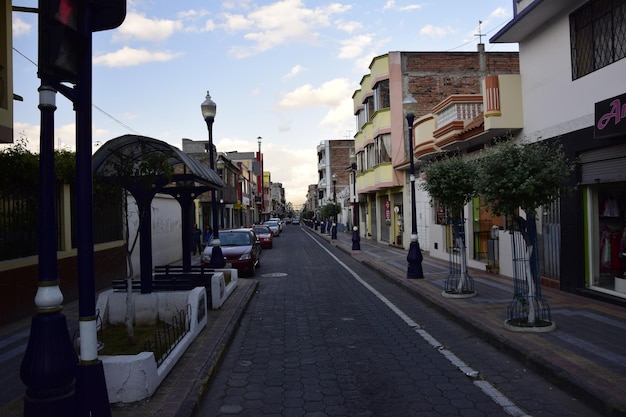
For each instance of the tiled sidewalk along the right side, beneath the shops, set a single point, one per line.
(585, 355)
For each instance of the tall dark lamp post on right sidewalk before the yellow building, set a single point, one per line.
(414, 257)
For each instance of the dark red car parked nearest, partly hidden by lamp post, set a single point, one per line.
(241, 248)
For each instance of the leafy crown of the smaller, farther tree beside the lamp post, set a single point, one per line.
(451, 181)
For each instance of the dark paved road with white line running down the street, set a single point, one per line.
(326, 336)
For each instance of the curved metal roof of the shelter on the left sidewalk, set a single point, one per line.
(134, 150)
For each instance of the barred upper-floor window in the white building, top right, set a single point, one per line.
(597, 35)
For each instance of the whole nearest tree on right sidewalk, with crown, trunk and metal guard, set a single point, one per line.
(517, 176)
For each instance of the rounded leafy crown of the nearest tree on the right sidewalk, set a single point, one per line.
(528, 176)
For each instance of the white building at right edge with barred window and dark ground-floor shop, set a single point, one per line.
(572, 65)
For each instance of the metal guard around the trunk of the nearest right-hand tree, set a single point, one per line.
(528, 311)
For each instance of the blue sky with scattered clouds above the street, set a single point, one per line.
(284, 70)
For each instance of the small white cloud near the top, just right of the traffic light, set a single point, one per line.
(136, 26)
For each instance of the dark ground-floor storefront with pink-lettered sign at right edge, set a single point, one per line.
(598, 206)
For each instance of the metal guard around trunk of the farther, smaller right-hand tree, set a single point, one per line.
(459, 284)
